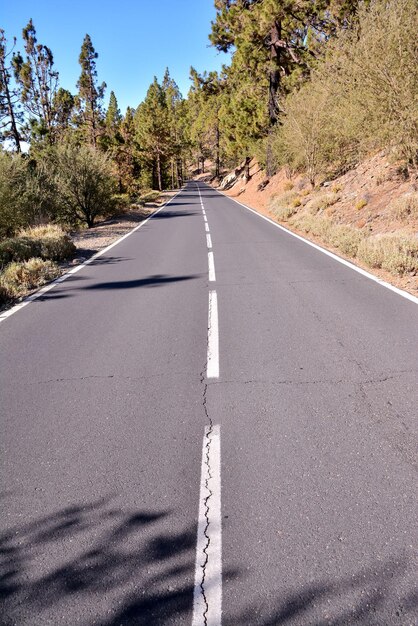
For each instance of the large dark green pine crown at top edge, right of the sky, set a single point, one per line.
(270, 40)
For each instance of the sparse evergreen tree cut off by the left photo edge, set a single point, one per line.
(10, 114)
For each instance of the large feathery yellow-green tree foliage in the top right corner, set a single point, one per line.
(361, 97)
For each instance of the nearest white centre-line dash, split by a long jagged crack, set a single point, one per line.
(208, 569)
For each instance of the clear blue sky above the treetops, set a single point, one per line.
(136, 40)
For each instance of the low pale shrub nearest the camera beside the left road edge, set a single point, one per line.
(20, 278)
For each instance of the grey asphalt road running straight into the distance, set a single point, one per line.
(106, 391)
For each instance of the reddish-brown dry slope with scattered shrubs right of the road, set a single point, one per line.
(375, 201)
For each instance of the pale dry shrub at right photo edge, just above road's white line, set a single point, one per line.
(393, 252)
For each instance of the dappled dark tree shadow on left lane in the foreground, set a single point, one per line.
(96, 551)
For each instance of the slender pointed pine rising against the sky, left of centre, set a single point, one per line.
(90, 94)
